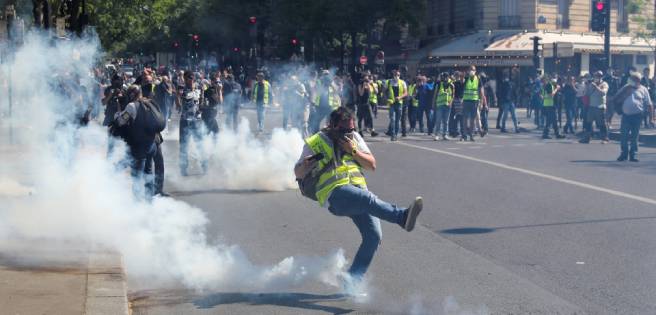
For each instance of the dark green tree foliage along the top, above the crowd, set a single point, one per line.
(151, 25)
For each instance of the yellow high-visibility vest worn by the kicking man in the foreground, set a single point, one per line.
(336, 173)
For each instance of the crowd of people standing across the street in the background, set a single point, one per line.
(451, 105)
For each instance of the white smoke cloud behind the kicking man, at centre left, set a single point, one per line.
(238, 160)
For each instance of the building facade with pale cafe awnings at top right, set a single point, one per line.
(497, 33)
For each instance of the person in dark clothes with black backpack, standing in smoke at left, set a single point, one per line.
(140, 140)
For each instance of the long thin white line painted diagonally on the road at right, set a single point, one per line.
(538, 174)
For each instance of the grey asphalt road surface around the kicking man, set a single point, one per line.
(512, 225)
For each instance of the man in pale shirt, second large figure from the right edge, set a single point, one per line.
(596, 91)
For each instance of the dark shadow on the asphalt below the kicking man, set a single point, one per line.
(296, 300)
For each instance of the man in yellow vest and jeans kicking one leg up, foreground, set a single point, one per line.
(330, 171)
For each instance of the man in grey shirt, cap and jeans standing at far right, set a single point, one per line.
(634, 99)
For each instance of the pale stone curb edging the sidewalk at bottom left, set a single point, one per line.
(106, 292)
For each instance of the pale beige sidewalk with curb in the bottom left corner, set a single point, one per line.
(55, 283)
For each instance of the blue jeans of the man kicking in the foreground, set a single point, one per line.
(365, 209)
